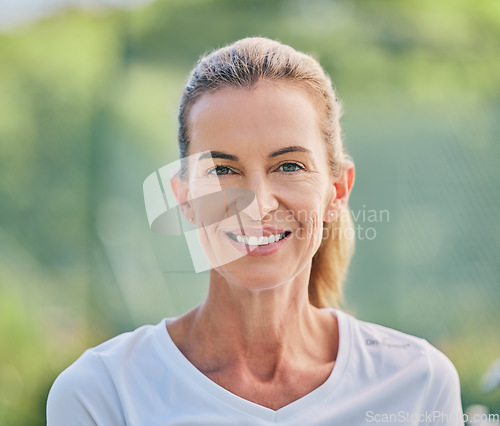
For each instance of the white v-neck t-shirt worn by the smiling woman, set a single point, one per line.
(381, 376)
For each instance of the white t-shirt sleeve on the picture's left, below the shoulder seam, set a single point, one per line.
(84, 395)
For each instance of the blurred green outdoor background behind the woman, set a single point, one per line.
(88, 102)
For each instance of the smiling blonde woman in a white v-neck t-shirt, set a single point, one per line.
(264, 347)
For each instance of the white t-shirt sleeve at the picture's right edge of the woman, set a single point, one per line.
(443, 392)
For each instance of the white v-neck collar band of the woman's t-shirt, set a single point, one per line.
(305, 403)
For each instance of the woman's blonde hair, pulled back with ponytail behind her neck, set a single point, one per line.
(241, 65)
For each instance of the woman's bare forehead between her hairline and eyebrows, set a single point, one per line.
(265, 117)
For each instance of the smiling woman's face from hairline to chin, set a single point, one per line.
(260, 199)
